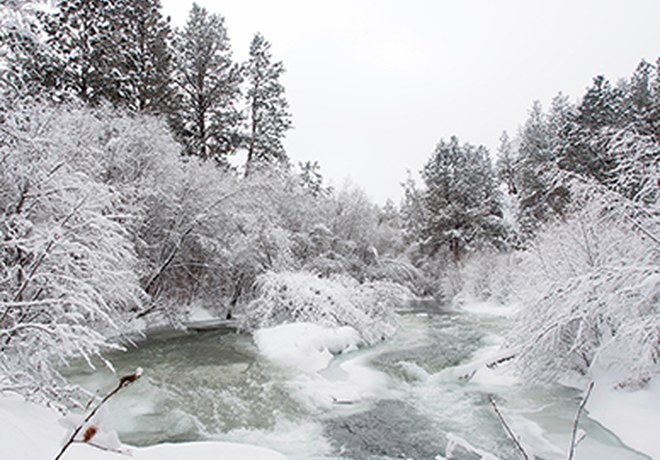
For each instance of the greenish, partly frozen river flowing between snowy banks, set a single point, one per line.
(404, 398)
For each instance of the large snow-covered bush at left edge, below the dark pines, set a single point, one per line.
(67, 266)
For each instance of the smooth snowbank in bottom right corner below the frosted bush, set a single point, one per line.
(634, 416)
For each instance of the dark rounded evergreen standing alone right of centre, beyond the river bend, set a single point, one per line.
(463, 210)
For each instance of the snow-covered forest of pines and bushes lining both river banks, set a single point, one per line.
(143, 175)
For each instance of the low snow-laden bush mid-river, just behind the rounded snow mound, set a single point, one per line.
(290, 297)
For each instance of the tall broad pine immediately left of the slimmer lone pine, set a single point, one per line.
(207, 83)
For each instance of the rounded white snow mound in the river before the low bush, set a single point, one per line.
(305, 346)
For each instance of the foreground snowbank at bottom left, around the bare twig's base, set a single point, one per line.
(29, 431)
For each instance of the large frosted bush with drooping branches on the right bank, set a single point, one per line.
(591, 288)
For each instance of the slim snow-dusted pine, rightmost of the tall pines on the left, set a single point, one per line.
(268, 115)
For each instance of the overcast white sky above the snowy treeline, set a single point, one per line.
(373, 85)
